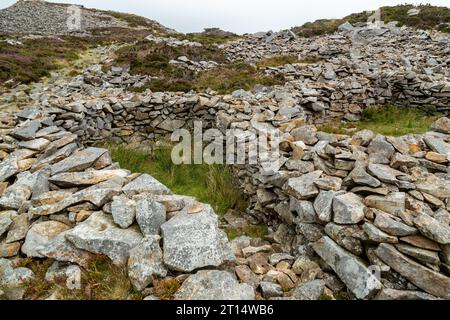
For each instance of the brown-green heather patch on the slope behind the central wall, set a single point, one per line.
(146, 58)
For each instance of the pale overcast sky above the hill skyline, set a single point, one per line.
(240, 16)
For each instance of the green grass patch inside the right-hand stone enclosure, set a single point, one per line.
(387, 120)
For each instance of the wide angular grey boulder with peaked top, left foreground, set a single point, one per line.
(99, 235)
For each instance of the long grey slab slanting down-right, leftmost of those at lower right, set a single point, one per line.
(352, 271)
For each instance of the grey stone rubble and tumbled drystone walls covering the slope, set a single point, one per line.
(358, 217)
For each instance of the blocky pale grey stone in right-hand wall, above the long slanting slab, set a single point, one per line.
(348, 209)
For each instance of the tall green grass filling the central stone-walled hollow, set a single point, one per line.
(212, 184)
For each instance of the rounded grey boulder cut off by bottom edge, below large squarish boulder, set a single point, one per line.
(214, 285)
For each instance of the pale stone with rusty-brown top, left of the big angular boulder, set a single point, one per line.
(41, 234)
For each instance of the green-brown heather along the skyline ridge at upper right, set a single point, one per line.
(430, 17)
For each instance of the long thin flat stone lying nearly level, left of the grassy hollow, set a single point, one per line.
(86, 178)
